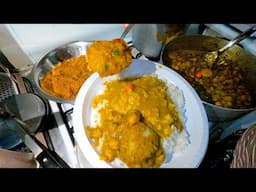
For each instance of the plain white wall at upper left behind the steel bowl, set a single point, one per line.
(25, 43)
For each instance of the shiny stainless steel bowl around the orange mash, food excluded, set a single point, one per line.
(49, 61)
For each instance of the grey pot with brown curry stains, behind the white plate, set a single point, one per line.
(150, 38)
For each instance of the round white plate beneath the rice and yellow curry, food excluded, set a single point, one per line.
(196, 123)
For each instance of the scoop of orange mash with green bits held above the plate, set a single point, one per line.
(109, 57)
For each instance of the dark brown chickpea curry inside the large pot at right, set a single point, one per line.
(223, 86)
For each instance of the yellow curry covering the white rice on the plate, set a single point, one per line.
(135, 117)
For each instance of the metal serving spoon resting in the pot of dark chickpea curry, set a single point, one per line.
(213, 56)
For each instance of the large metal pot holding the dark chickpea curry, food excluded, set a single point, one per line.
(245, 60)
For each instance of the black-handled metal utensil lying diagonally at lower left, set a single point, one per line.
(46, 157)
